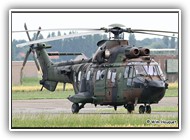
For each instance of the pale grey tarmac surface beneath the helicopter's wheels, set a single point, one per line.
(57, 106)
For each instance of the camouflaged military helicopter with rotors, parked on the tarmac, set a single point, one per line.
(117, 75)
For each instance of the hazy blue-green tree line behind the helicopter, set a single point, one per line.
(87, 45)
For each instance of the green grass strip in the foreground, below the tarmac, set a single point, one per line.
(93, 120)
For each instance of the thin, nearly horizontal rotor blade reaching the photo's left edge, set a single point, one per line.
(59, 29)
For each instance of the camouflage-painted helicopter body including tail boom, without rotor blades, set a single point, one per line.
(109, 78)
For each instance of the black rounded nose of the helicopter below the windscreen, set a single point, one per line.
(154, 91)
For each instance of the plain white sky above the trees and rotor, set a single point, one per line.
(138, 20)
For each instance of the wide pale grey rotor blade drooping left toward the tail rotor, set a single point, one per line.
(59, 37)
